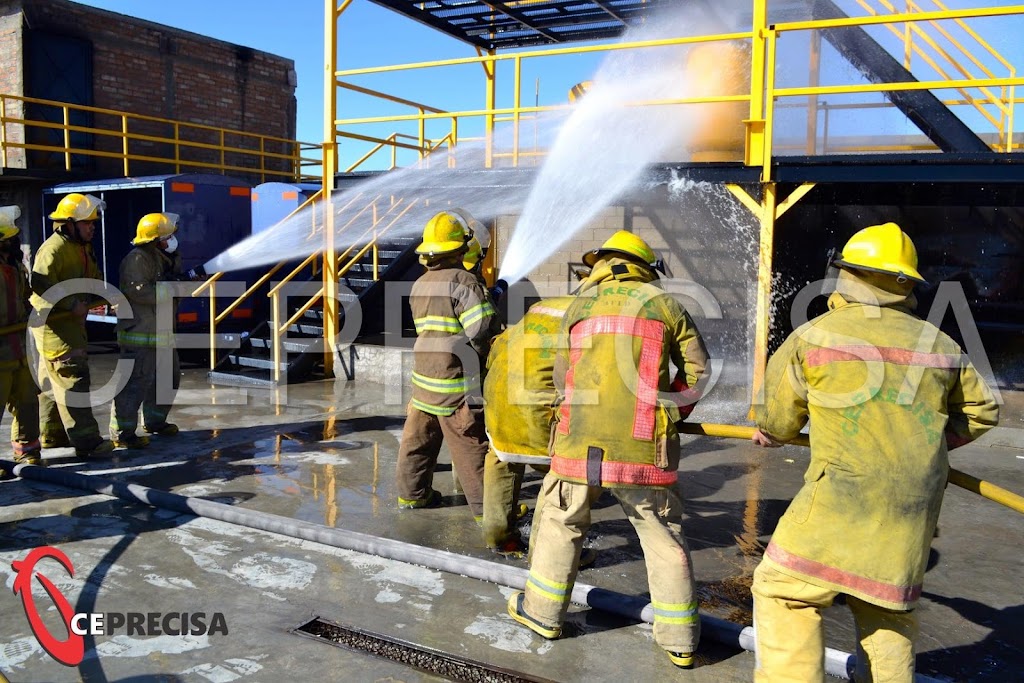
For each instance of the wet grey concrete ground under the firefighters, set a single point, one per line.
(328, 457)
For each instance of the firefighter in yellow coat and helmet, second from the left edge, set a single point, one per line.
(62, 343)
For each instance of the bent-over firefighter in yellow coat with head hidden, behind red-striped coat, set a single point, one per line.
(521, 398)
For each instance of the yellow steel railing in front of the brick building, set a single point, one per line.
(136, 140)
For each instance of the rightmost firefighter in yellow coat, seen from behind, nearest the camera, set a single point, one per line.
(887, 395)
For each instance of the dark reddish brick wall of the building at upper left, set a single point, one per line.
(149, 69)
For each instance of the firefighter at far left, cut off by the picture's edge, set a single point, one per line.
(18, 388)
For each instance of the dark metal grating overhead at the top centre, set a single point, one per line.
(527, 23)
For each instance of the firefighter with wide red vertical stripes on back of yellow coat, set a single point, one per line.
(617, 431)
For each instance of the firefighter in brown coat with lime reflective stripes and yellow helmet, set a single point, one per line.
(455, 322)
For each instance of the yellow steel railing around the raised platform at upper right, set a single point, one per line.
(965, 66)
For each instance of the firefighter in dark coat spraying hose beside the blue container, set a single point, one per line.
(152, 386)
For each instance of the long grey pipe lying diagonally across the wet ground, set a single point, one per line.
(838, 664)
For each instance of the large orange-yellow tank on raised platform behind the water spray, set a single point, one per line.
(715, 70)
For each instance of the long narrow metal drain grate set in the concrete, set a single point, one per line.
(423, 659)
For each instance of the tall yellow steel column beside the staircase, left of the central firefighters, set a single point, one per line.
(330, 272)
